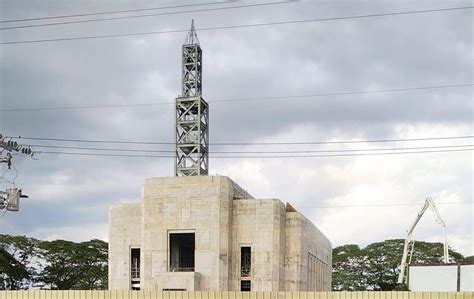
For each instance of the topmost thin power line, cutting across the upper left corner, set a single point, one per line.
(116, 11)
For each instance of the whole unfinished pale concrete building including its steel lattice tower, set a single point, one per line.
(198, 232)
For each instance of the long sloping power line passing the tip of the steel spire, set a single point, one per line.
(238, 26)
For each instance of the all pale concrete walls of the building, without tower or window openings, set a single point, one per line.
(217, 211)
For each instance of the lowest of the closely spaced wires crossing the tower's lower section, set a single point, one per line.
(261, 157)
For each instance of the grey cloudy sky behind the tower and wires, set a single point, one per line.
(70, 194)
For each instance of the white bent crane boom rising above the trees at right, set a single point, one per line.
(409, 243)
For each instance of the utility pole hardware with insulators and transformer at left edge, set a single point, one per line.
(10, 198)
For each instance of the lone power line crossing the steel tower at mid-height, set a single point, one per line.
(305, 96)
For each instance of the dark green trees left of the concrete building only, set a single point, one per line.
(27, 263)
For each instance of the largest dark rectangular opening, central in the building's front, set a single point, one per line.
(182, 252)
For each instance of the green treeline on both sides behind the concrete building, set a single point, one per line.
(27, 263)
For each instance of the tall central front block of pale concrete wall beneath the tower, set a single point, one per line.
(195, 204)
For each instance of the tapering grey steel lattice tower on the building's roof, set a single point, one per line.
(192, 113)
